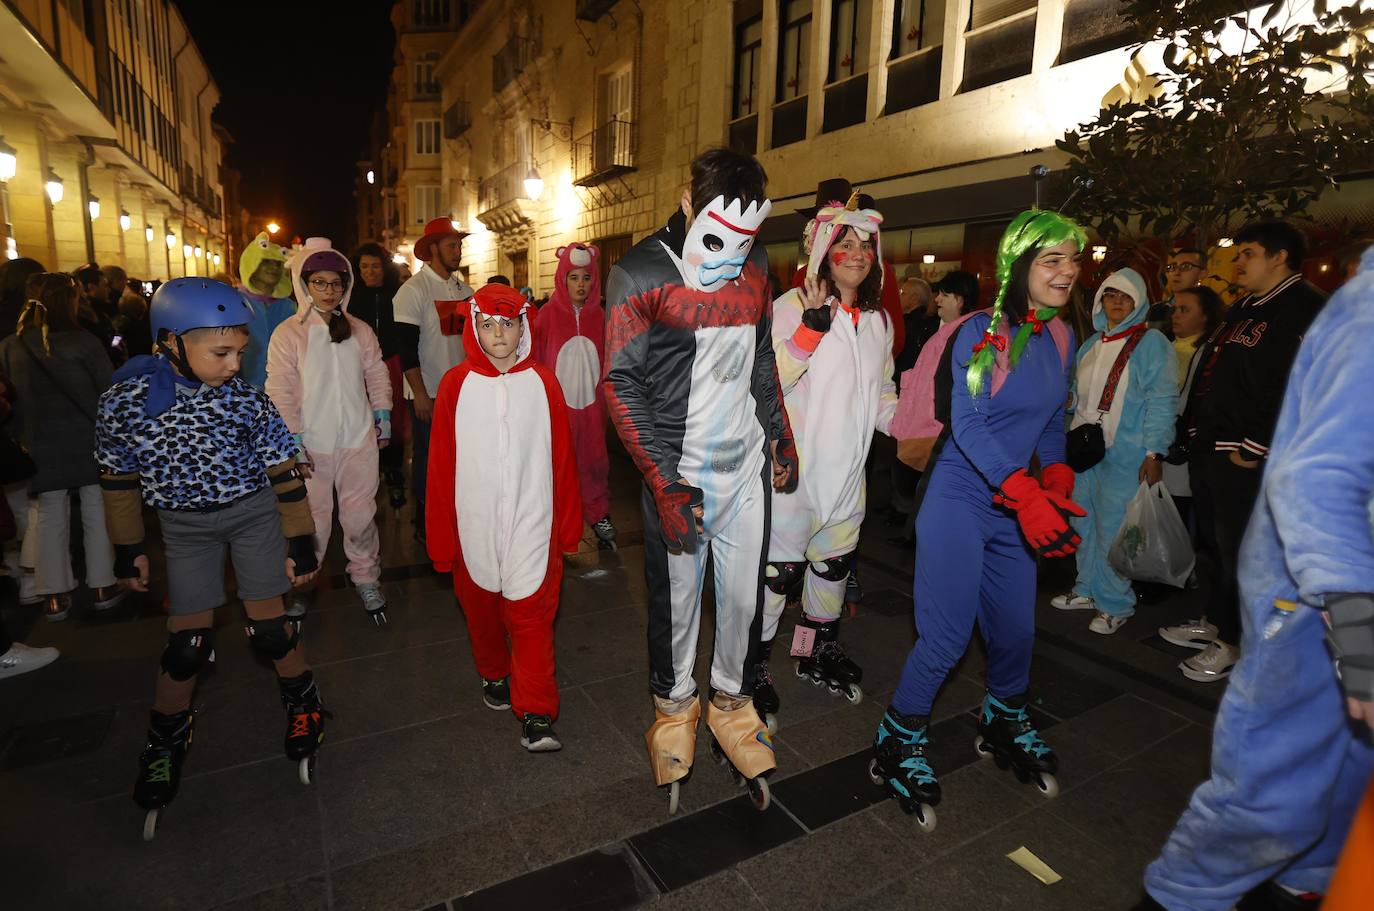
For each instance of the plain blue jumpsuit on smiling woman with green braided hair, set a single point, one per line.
(972, 560)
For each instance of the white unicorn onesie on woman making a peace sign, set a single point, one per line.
(837, 388)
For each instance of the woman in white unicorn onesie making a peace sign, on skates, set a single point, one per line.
(833, 346)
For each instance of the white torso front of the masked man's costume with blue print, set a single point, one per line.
(723, 442)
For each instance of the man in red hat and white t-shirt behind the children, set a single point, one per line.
(429, 313)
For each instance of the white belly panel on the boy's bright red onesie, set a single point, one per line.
(505, 482)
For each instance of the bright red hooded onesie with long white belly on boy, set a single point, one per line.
(504, 505)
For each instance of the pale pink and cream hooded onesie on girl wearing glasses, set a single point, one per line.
(337, 399)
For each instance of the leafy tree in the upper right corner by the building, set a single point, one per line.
(1251, 115)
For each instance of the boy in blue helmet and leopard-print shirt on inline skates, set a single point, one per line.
(183, 432)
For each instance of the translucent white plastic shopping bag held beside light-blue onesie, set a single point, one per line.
(1153, 546)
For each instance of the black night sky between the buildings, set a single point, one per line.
(299, 87)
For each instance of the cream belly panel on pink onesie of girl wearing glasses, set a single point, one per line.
(335, 407)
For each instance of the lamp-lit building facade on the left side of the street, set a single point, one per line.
(106, 106)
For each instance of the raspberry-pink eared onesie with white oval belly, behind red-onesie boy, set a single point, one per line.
(571, 343)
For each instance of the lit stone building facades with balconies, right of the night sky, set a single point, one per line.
(578, 122)
